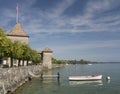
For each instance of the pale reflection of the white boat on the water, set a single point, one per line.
(99, 82)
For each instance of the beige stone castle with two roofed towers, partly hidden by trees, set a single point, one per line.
(18, 34)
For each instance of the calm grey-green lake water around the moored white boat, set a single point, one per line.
(64, 86)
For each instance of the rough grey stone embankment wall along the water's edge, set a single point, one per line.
(12, 78)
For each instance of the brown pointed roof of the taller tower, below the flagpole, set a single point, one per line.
(17, 31)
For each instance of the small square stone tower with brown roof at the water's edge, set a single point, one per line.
(47, 58)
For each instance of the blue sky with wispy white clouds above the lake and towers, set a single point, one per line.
(73, 29)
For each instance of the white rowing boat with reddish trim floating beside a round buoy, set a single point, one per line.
(85, 78)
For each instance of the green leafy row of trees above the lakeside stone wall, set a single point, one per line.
(16, 49)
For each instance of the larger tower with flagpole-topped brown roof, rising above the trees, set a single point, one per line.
(18, 34)
